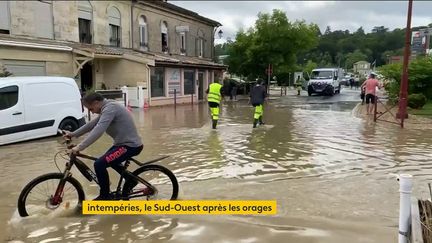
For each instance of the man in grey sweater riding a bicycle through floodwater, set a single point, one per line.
(115, 120)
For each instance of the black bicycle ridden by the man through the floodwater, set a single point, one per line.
(137, 184)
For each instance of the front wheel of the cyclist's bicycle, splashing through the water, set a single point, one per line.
(36, 197)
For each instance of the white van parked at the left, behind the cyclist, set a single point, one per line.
(34, 107)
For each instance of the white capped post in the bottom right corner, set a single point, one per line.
(405, 189)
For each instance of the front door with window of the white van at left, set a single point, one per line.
(11, 113)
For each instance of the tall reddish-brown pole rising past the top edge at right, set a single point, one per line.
(403, 93)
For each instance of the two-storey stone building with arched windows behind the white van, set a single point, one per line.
(109, 44)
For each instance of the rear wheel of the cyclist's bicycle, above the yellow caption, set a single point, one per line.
(159, 177)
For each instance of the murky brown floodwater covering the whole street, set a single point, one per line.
(333, 175)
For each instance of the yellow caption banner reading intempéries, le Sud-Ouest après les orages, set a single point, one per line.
(202, 207)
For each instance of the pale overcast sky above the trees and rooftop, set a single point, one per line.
(339, 15)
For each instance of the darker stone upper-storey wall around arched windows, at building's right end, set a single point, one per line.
(155, 16)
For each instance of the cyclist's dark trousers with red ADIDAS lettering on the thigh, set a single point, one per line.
(114, 158)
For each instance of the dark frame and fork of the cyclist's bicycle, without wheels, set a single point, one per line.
(90, 175)
